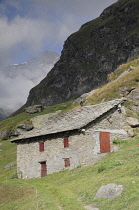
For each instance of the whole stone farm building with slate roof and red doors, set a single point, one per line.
(78, 137)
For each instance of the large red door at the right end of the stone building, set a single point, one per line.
(104, 142)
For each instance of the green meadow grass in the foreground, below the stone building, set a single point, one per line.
(75, 188)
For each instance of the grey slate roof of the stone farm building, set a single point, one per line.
(71, 120)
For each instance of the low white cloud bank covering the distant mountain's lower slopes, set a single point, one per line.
(14, 91)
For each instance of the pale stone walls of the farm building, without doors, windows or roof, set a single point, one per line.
(84, 147)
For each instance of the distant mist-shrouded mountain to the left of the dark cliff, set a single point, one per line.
(17, 79)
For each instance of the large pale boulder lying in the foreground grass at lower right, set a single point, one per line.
(109, 191)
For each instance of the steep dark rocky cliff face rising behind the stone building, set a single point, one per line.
(90, 54)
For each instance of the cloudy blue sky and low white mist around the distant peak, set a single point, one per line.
(29, 27)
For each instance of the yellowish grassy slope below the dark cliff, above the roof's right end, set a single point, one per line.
(112, 89)
